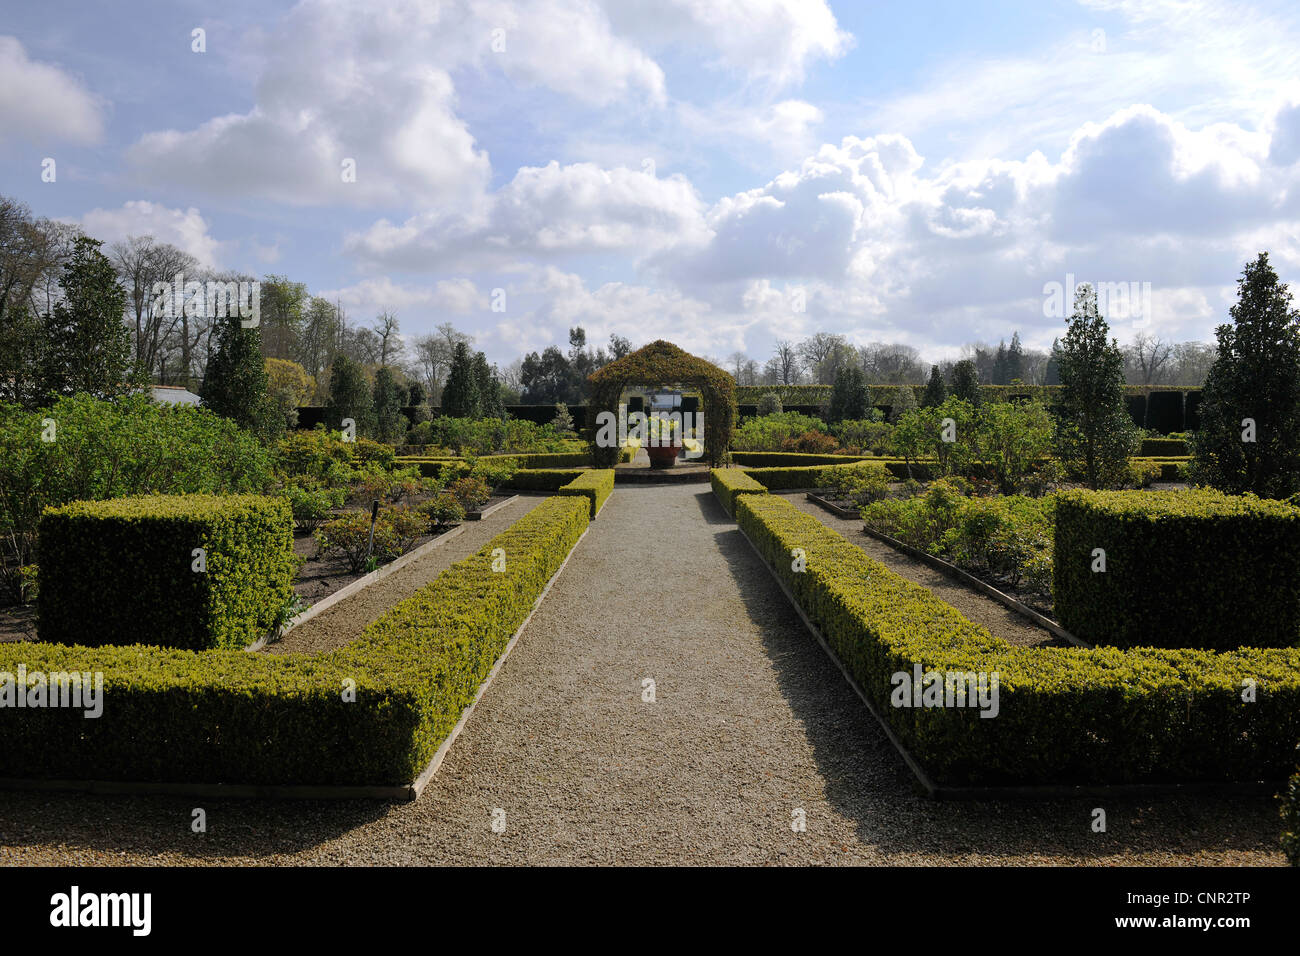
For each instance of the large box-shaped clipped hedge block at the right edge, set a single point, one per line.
(1189, 569)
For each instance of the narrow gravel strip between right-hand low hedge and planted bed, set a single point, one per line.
(1000, 620)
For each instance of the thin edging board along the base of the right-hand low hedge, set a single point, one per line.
(1045, 791)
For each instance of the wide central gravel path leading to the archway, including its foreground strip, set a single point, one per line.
(749, 725)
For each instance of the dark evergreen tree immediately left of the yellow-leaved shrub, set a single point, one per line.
(236, 383)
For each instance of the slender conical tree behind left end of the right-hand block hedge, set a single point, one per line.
(1094, 431)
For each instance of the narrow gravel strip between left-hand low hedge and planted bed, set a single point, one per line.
(345, 621)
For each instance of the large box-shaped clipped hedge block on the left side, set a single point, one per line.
(123, 572)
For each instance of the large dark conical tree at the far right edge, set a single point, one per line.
(1255, 380)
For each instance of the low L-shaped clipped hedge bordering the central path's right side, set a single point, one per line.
(1067, 716)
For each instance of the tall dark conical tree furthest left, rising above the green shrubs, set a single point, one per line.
(88, 348)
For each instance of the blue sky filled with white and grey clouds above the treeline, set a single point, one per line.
(721, 174)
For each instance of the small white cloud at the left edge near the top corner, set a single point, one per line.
(41, 103)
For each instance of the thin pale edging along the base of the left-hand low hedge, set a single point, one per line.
(279, 791)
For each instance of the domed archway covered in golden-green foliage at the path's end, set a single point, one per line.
(664, 364)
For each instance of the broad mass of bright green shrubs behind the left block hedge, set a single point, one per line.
(105, 449)
